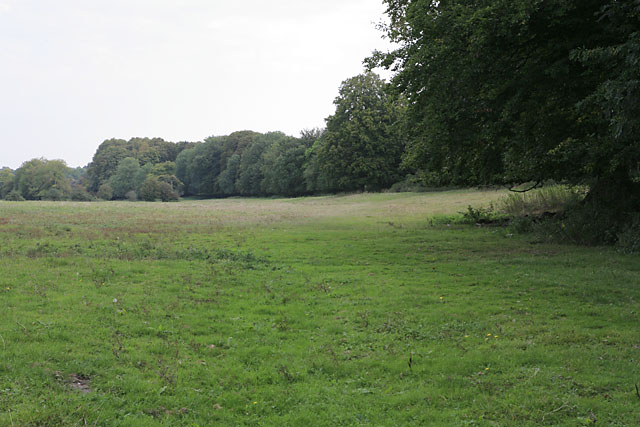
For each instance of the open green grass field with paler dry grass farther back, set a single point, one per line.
(374, 309)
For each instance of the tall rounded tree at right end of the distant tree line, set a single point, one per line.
(363, 144)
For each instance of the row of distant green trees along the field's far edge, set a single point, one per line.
(360, 150)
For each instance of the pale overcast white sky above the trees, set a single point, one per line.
(76, 72)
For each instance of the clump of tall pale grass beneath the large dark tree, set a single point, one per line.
(535, 203)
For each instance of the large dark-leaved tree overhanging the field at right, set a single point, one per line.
(510, 91)
